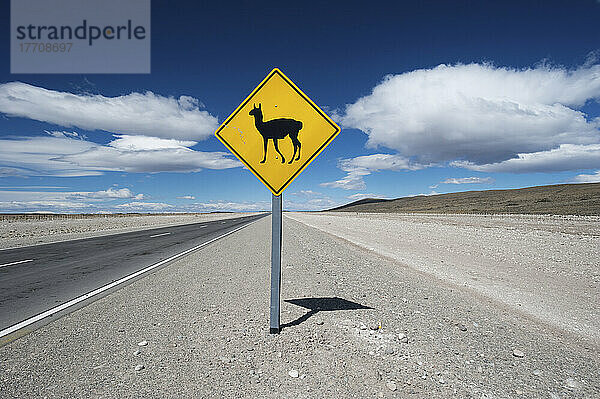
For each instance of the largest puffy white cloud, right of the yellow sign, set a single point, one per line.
(479, 114)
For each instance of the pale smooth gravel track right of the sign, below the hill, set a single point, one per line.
(547, 267)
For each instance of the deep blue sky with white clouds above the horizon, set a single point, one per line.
(432, 97)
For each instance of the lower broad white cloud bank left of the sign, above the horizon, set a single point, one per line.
(67, 156)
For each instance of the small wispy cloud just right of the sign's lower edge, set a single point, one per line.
(357, 168)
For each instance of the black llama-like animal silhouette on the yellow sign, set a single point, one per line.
(277, 129)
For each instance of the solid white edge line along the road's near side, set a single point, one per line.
(97, 291)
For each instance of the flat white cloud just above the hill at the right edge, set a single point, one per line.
(565, 157)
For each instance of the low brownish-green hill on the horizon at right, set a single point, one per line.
(560, 199)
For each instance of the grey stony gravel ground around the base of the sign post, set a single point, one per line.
(203, 325)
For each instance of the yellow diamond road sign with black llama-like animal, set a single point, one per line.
(277, 131)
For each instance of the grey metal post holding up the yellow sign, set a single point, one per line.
(276, 216)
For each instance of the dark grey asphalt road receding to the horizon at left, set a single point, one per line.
(37, 278)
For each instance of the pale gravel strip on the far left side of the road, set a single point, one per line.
(20, 233)
